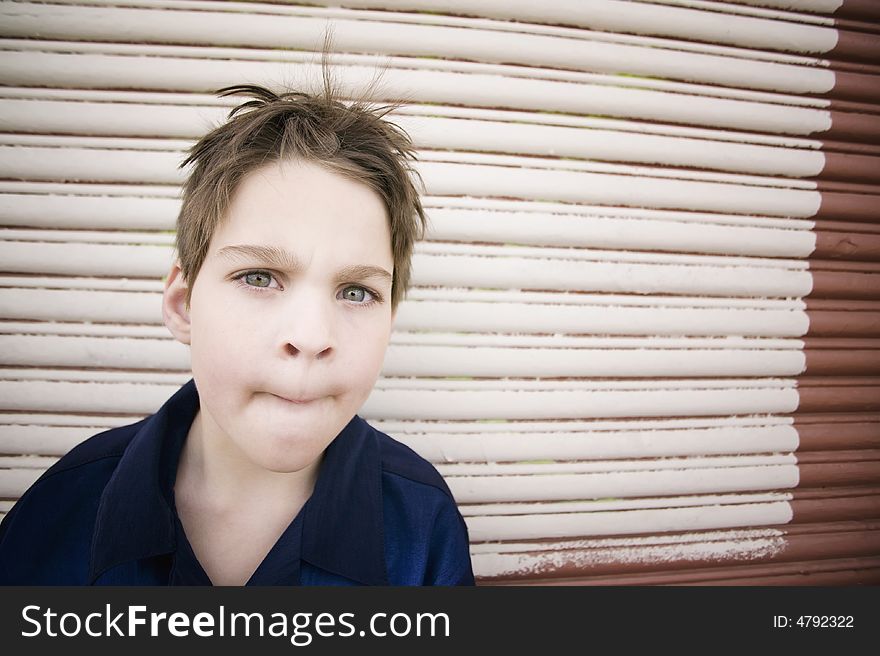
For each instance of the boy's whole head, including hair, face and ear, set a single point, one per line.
(294, 240)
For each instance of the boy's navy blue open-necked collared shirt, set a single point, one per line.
(104, 515)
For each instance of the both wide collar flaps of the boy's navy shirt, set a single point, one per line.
(342, 521)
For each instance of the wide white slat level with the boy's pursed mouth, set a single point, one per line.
(688, 398)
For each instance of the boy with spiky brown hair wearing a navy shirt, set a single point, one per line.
(294, 241)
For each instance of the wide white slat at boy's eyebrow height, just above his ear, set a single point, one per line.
(451, 270)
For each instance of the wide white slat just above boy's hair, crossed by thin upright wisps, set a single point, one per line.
(426, 86)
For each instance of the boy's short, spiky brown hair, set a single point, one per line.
(352, 140)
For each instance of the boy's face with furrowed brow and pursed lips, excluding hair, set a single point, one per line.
(290, 314)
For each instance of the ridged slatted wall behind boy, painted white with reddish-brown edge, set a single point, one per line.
(642, 343)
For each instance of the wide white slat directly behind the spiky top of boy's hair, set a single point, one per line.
(429, 132)
